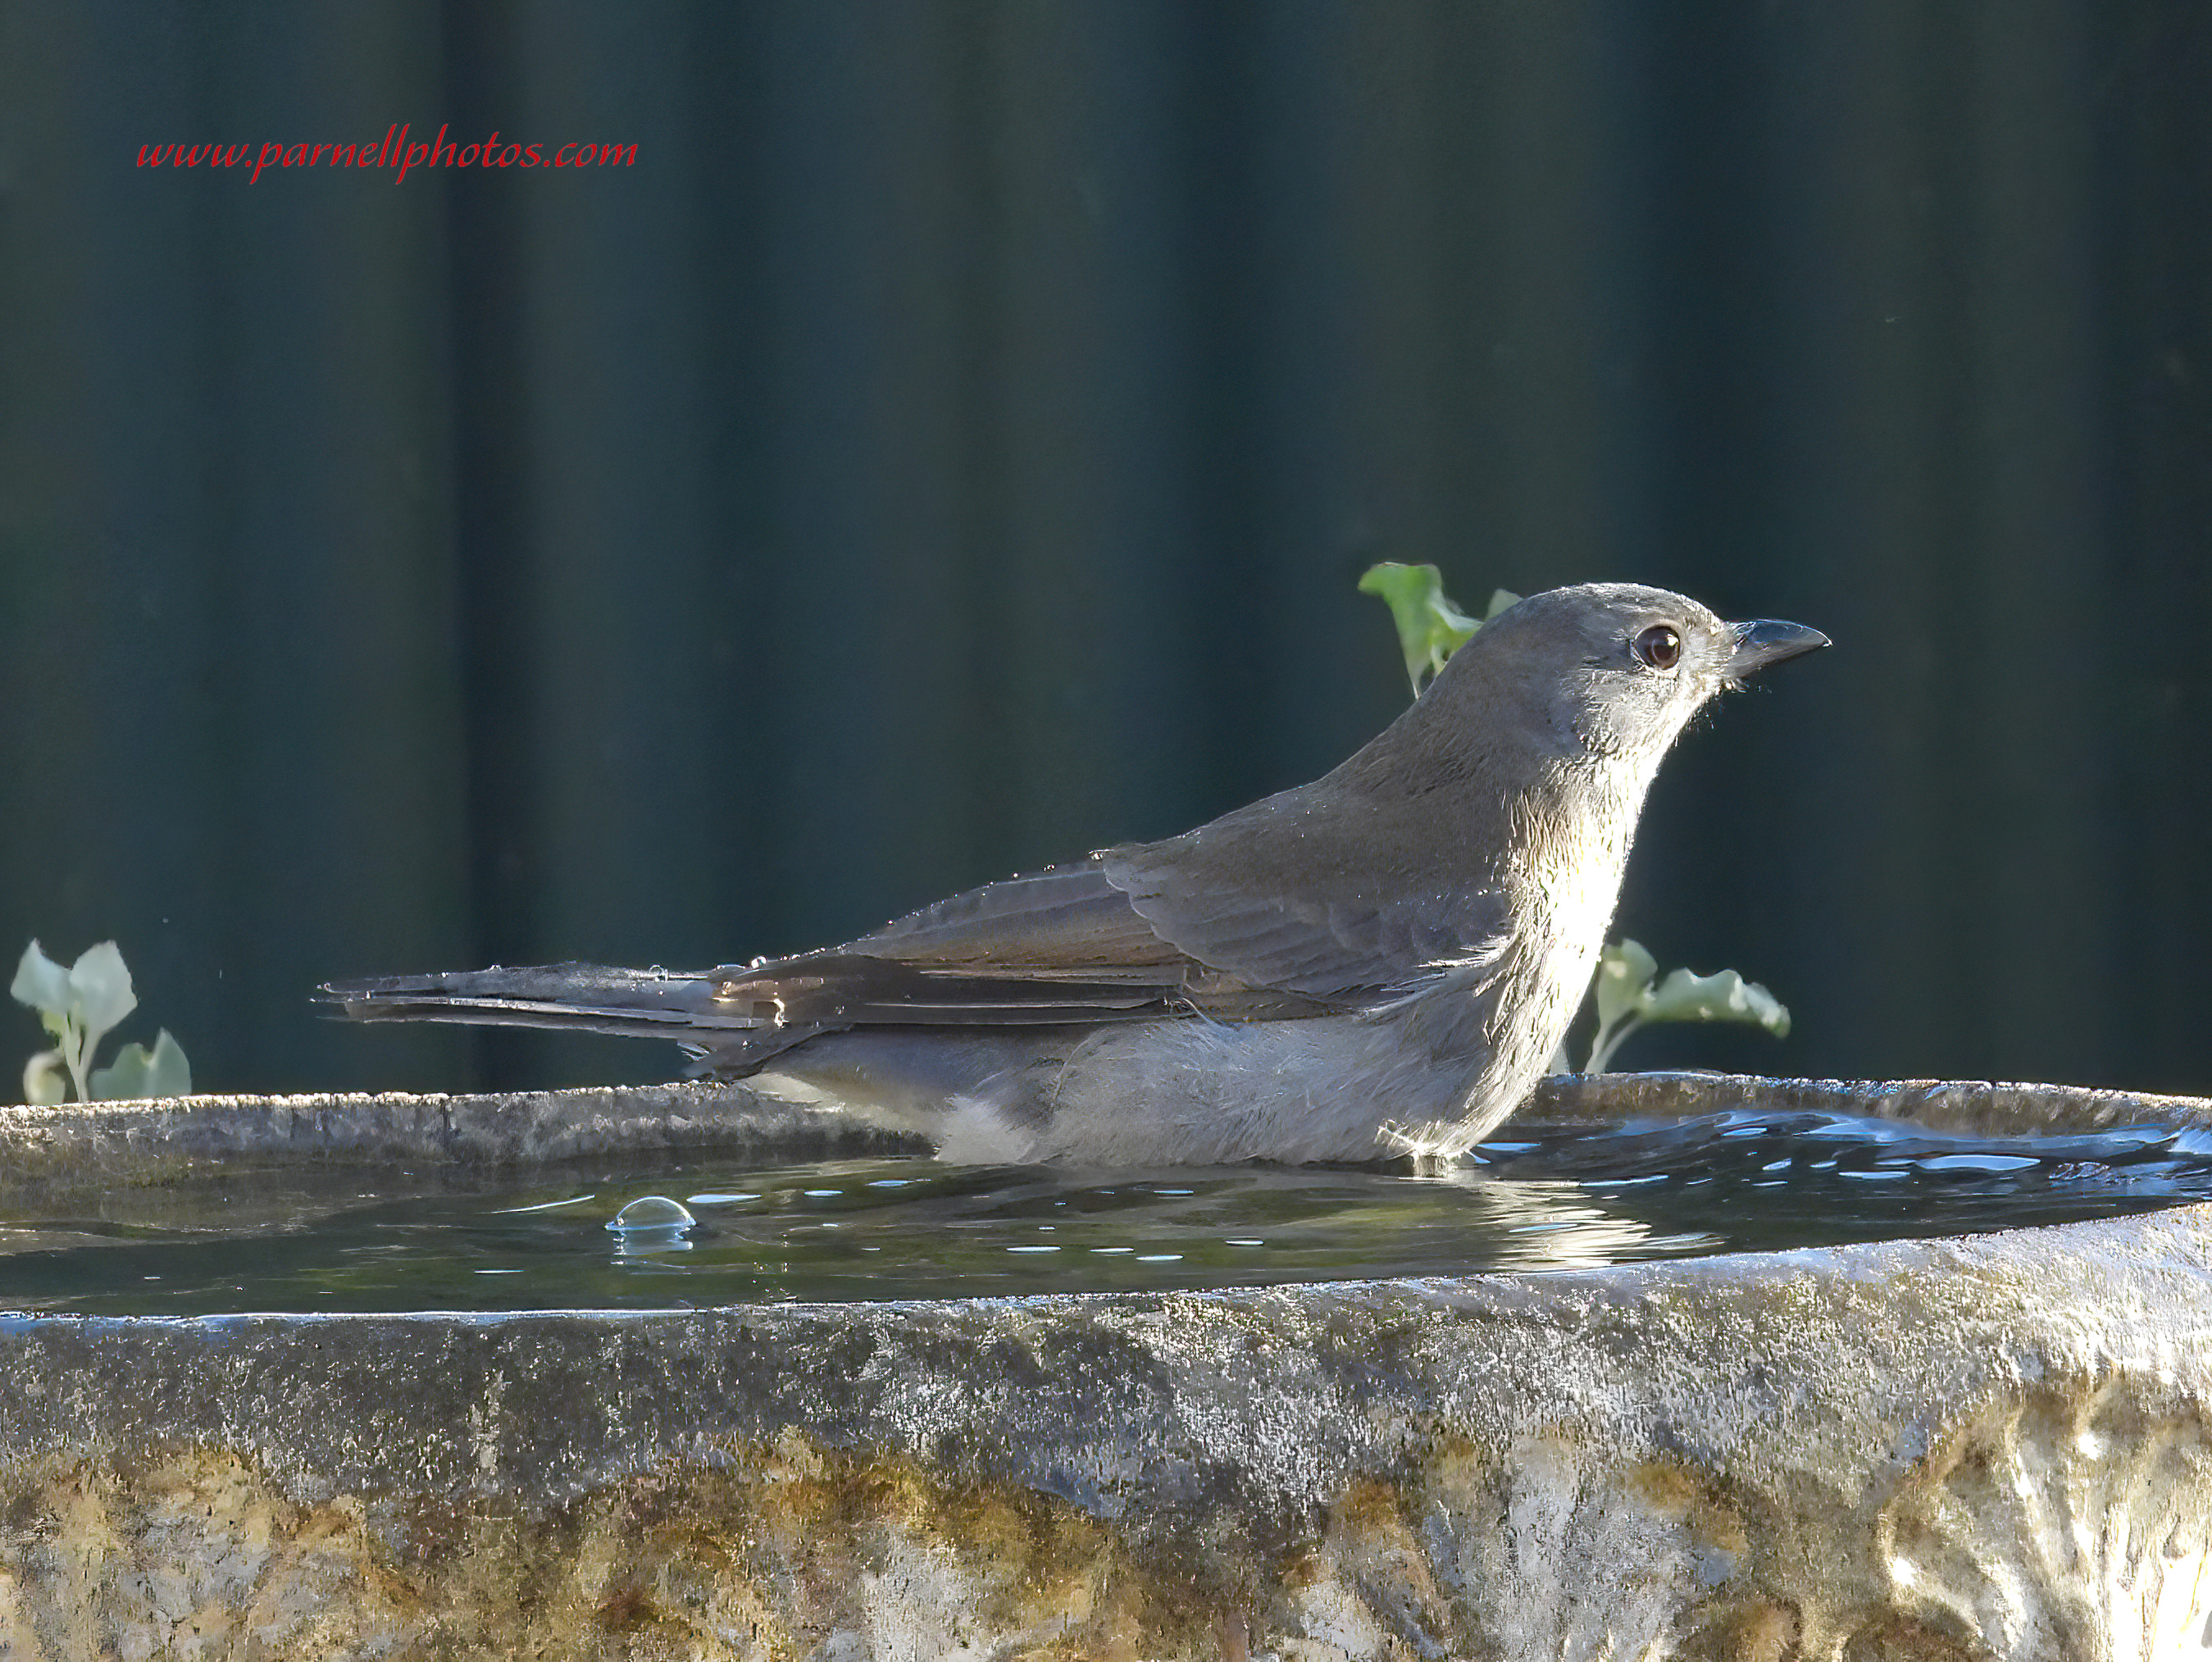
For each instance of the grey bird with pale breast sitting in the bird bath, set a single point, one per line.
(1379, 962)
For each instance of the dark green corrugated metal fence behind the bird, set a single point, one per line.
(954, 446)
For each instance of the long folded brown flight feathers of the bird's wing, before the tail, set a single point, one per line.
(1052, 948)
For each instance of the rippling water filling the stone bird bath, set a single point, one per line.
(709, 1232)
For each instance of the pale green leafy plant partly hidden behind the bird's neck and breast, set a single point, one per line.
(1432, 630)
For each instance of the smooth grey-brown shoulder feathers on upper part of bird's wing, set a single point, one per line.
(1311, 908)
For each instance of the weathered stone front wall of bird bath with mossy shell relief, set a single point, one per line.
(1968, 1448)
